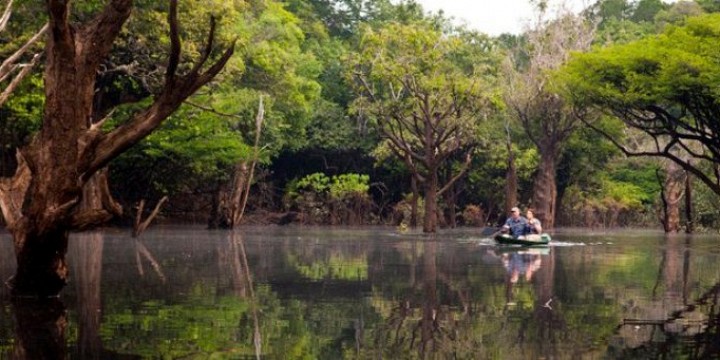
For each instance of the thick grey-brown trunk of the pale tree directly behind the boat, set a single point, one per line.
(545, 190)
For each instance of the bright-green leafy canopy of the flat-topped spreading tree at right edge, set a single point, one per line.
(653, 70)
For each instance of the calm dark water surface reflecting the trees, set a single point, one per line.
(325, 293)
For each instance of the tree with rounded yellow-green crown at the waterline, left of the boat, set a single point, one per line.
(425, 90)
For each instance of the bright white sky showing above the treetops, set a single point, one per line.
(494, 17)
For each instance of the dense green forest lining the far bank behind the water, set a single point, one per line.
(376, 112)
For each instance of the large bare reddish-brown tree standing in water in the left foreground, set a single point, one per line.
(41, 202)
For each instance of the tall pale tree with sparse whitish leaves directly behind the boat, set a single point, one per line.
(544, 115)
